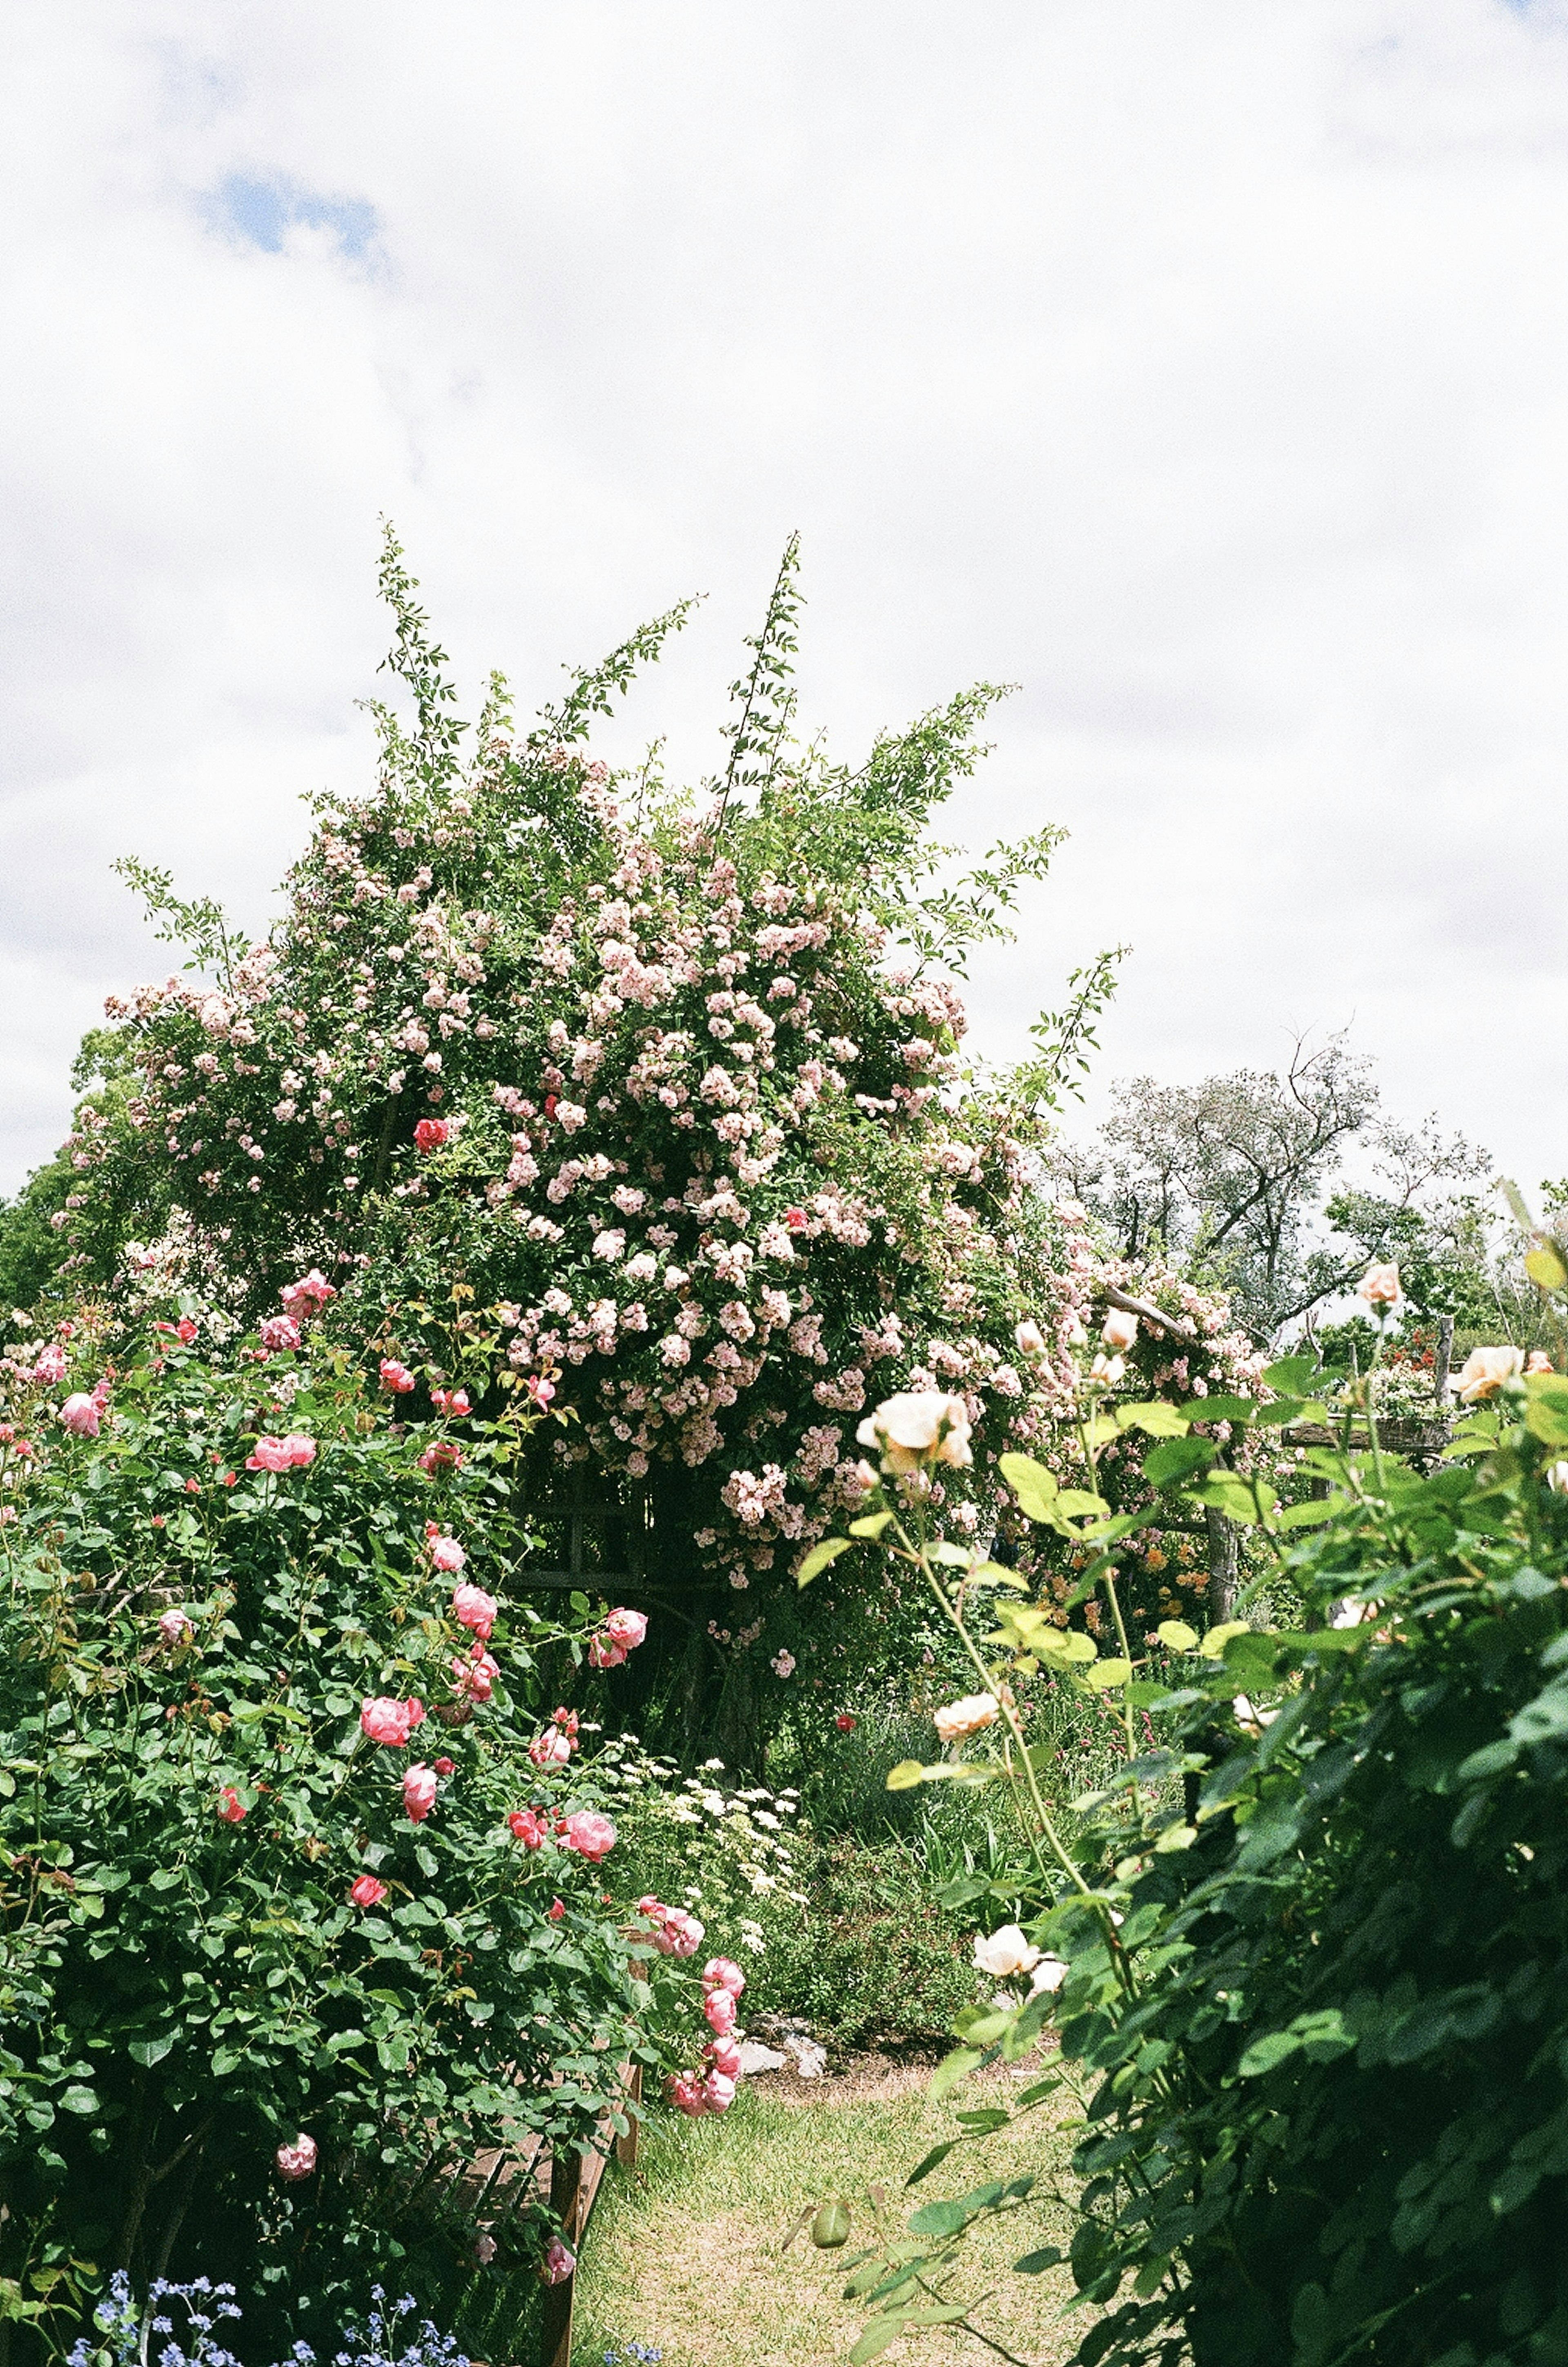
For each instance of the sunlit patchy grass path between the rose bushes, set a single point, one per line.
(685, 2252)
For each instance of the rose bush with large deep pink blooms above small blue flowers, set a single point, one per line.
(302, 1885)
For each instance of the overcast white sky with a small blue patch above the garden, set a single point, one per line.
(1196, 366)
